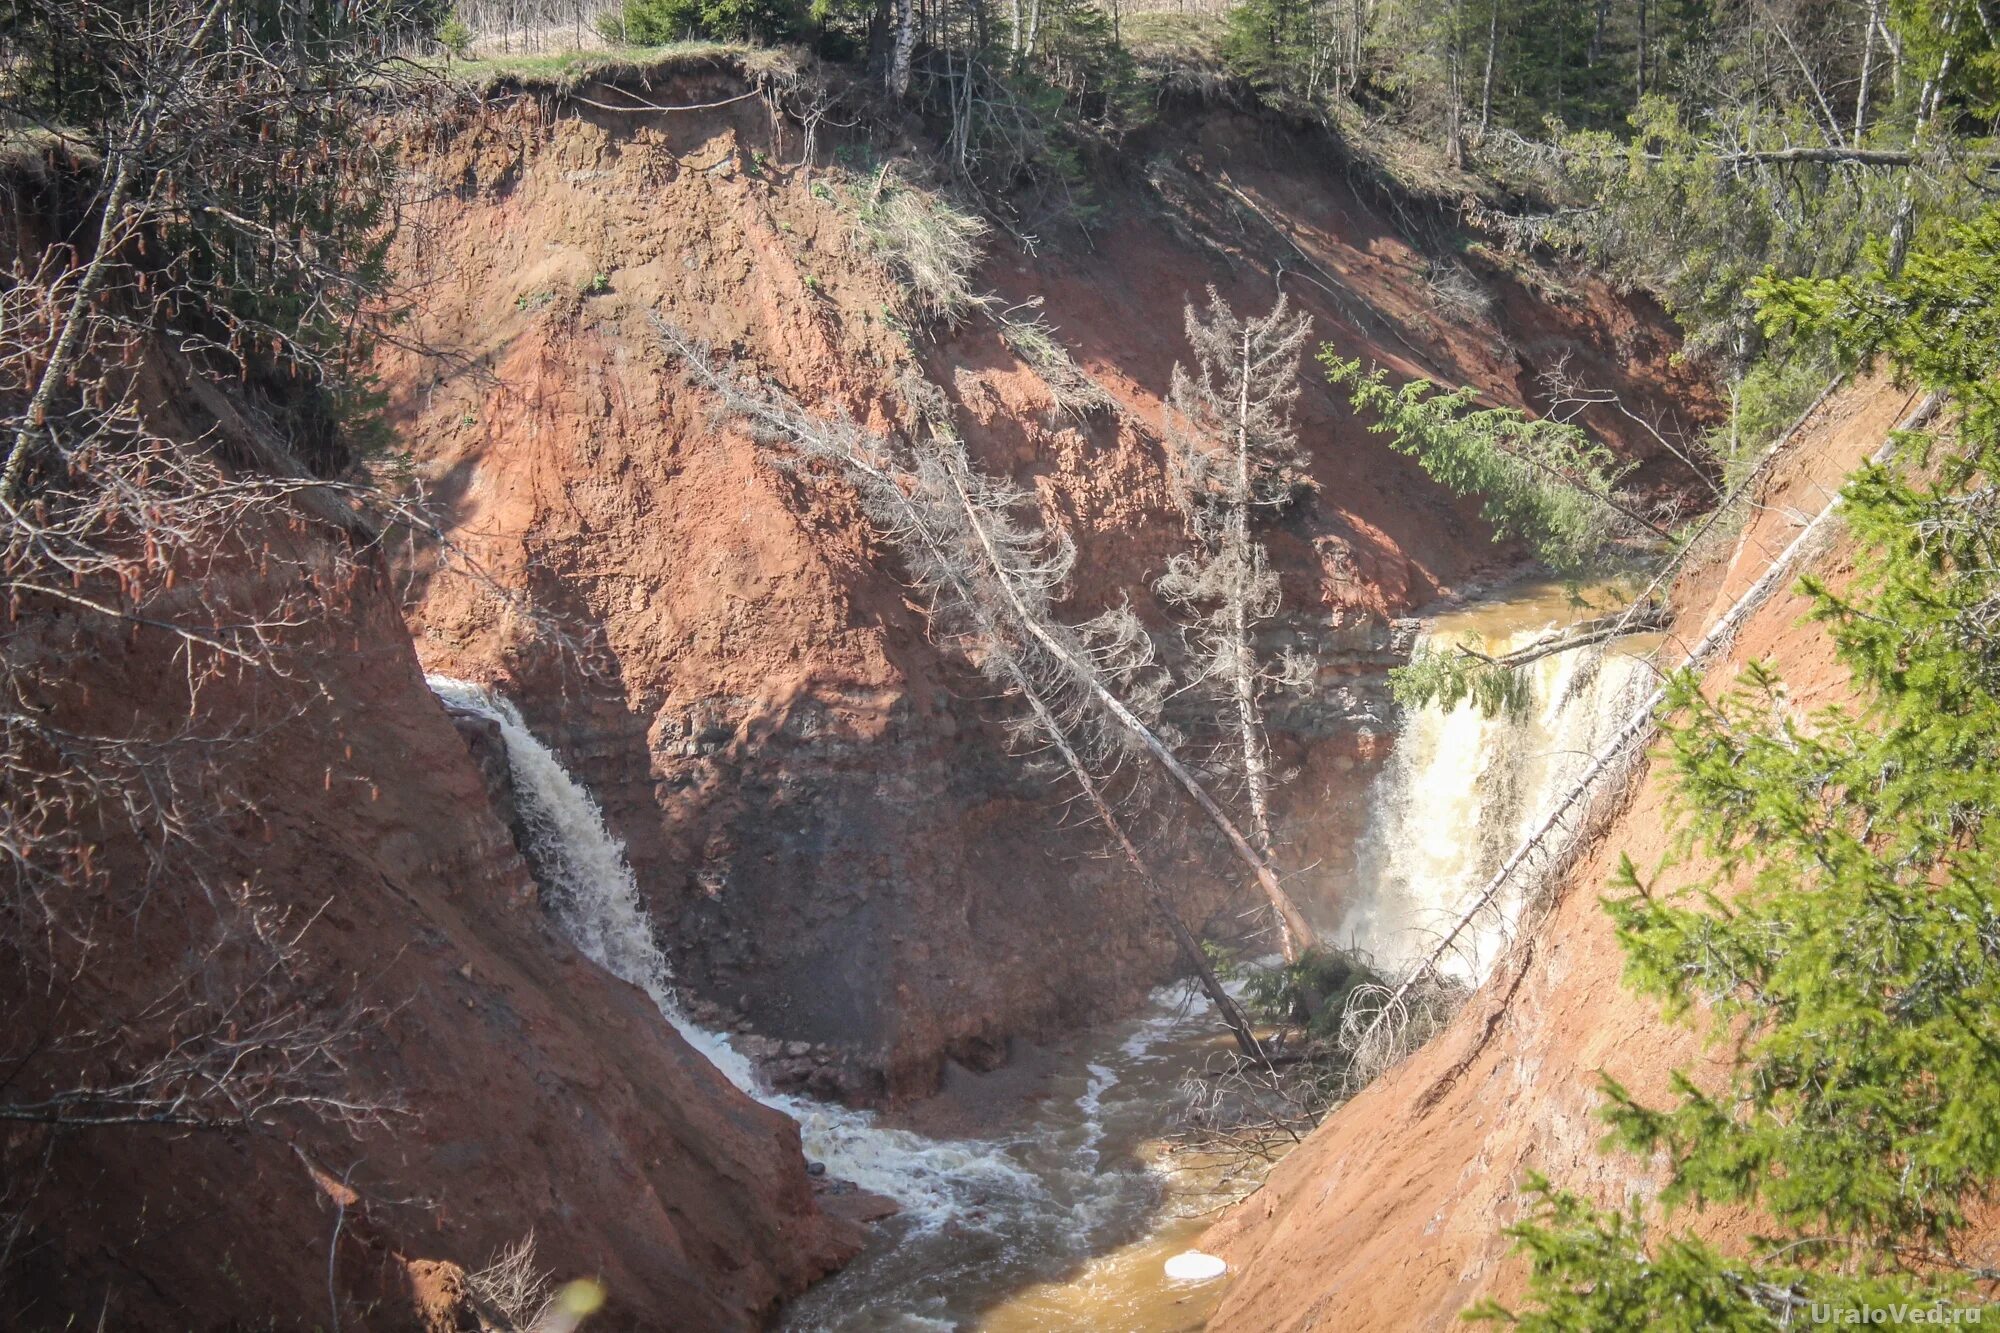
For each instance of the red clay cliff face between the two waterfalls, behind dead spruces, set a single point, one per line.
(835, 844)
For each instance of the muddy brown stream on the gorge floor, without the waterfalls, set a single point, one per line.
(1081, 1240)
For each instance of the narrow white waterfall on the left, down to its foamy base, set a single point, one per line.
(595, 900)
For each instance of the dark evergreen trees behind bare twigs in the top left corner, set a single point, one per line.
(253, 221)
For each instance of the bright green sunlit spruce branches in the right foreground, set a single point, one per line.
(1847, 944)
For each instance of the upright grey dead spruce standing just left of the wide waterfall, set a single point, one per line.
(1233, 451)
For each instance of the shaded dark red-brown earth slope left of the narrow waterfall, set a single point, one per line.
(533, 1092)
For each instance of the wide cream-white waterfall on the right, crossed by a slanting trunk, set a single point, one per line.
(1463, 790)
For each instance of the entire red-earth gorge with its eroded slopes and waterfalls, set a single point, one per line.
(699, 912)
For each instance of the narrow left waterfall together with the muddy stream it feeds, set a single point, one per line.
(1061, 1222)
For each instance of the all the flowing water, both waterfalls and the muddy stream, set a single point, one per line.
(1063, 1214)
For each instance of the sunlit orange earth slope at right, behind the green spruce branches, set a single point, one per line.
(1389, 1216)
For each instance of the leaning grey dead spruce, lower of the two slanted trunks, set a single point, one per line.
(989, 583)
